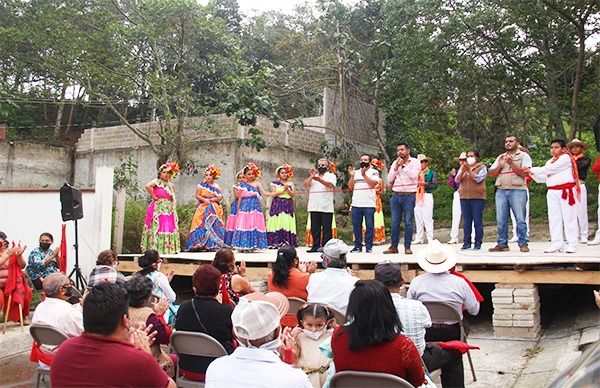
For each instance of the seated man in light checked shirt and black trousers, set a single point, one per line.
(415, 319)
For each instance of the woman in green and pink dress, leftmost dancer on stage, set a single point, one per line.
(160, 229)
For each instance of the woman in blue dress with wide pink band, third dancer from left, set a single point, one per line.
(250, 230)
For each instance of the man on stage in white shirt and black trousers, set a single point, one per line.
(320, 203)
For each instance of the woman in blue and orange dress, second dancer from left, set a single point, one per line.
(208, 231)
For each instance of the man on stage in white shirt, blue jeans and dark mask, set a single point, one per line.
(364, 197)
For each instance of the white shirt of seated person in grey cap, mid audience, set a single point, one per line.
(331, 287)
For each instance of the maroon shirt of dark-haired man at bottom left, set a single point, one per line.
(92, 361)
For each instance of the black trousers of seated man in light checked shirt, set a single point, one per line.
(449, 361)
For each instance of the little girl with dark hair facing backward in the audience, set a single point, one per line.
(315, 325)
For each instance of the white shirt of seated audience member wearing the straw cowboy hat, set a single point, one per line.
(444, 287)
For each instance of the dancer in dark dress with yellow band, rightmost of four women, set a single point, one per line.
(281, 225)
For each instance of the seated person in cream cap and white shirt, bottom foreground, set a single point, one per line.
(256, 361)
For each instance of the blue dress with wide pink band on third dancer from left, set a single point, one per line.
(250, 230)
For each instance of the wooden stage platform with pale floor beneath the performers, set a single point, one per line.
(582, 267)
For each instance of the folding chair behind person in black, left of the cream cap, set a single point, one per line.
(194, 344)
